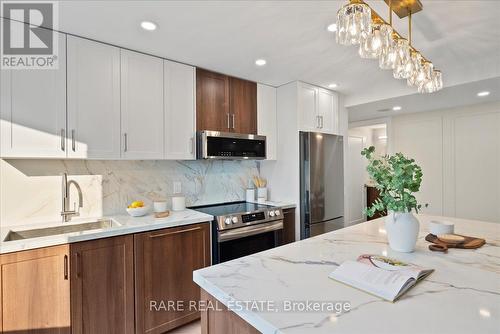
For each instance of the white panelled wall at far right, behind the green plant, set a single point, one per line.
(459, 152)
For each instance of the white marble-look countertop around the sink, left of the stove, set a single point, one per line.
(126, 225)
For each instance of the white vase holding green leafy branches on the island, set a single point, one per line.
(402, 231)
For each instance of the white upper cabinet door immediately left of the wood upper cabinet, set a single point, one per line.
(180, 114)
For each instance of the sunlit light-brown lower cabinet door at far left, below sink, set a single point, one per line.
(35, 291)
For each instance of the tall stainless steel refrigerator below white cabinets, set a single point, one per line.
(321, 183)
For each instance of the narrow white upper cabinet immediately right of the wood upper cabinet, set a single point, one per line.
(267, 118)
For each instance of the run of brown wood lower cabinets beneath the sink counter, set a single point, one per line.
(88, 287)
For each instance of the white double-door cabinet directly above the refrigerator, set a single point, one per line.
(318, 109)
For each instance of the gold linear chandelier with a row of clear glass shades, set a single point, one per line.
(358, 24)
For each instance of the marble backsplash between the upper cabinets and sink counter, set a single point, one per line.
(30, 190)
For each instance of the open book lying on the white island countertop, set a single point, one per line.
(379, 275)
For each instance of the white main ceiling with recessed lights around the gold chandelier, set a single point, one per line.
(462, 38)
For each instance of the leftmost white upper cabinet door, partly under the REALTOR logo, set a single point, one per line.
(33, 111)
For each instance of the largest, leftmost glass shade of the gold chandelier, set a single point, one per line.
(353, 23)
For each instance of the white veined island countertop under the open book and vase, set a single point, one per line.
(461, 296)
